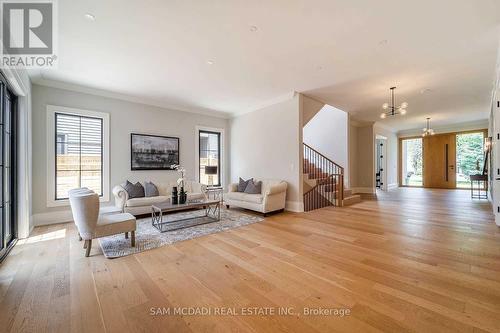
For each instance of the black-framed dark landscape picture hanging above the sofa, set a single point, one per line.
(151, 160)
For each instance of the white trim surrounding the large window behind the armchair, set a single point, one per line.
(52, 147)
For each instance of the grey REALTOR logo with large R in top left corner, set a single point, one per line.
(28, 33)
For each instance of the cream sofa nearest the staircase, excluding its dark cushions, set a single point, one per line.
(271, 199)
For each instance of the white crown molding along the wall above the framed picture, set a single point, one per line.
(40, 80)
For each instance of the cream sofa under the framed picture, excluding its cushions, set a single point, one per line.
(140, 206)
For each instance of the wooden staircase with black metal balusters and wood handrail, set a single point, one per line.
(324, 182)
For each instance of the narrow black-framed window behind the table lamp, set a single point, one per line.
(210, 157)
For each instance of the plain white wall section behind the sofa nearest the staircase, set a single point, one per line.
(266, 144)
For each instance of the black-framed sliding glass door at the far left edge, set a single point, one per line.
(7, 168)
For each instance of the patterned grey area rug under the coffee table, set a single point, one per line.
(148, 237)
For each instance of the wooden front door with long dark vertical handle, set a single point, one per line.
(439, 161)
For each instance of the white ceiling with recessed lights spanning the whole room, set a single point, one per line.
(345, 53)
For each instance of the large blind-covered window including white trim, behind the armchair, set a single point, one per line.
(77, 153)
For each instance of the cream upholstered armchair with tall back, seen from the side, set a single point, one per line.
(91, 225)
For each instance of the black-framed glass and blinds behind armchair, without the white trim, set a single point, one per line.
(78, 153)
